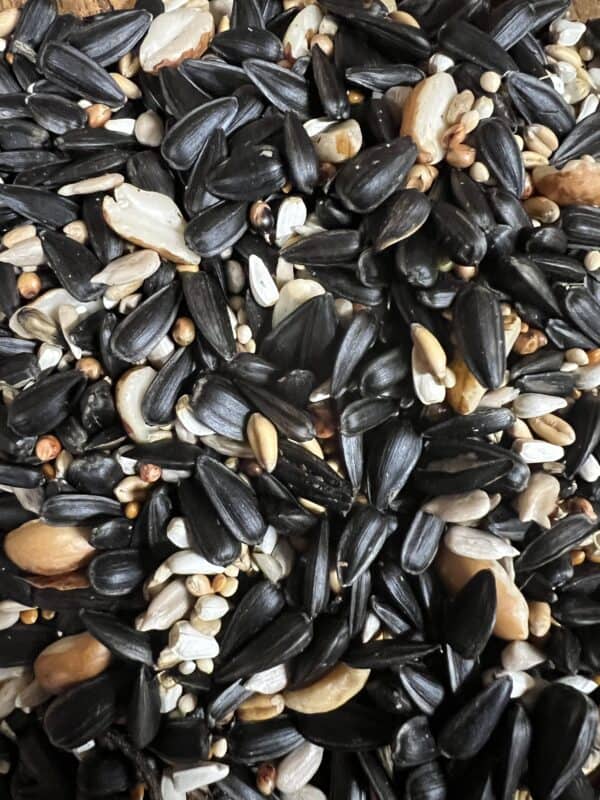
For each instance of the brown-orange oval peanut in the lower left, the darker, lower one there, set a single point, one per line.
(69, 661)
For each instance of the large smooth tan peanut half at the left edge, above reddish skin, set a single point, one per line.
(46, 549)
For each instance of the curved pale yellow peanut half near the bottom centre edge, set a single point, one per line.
(331, 691)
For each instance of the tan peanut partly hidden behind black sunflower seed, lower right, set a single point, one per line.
(512, 613)
